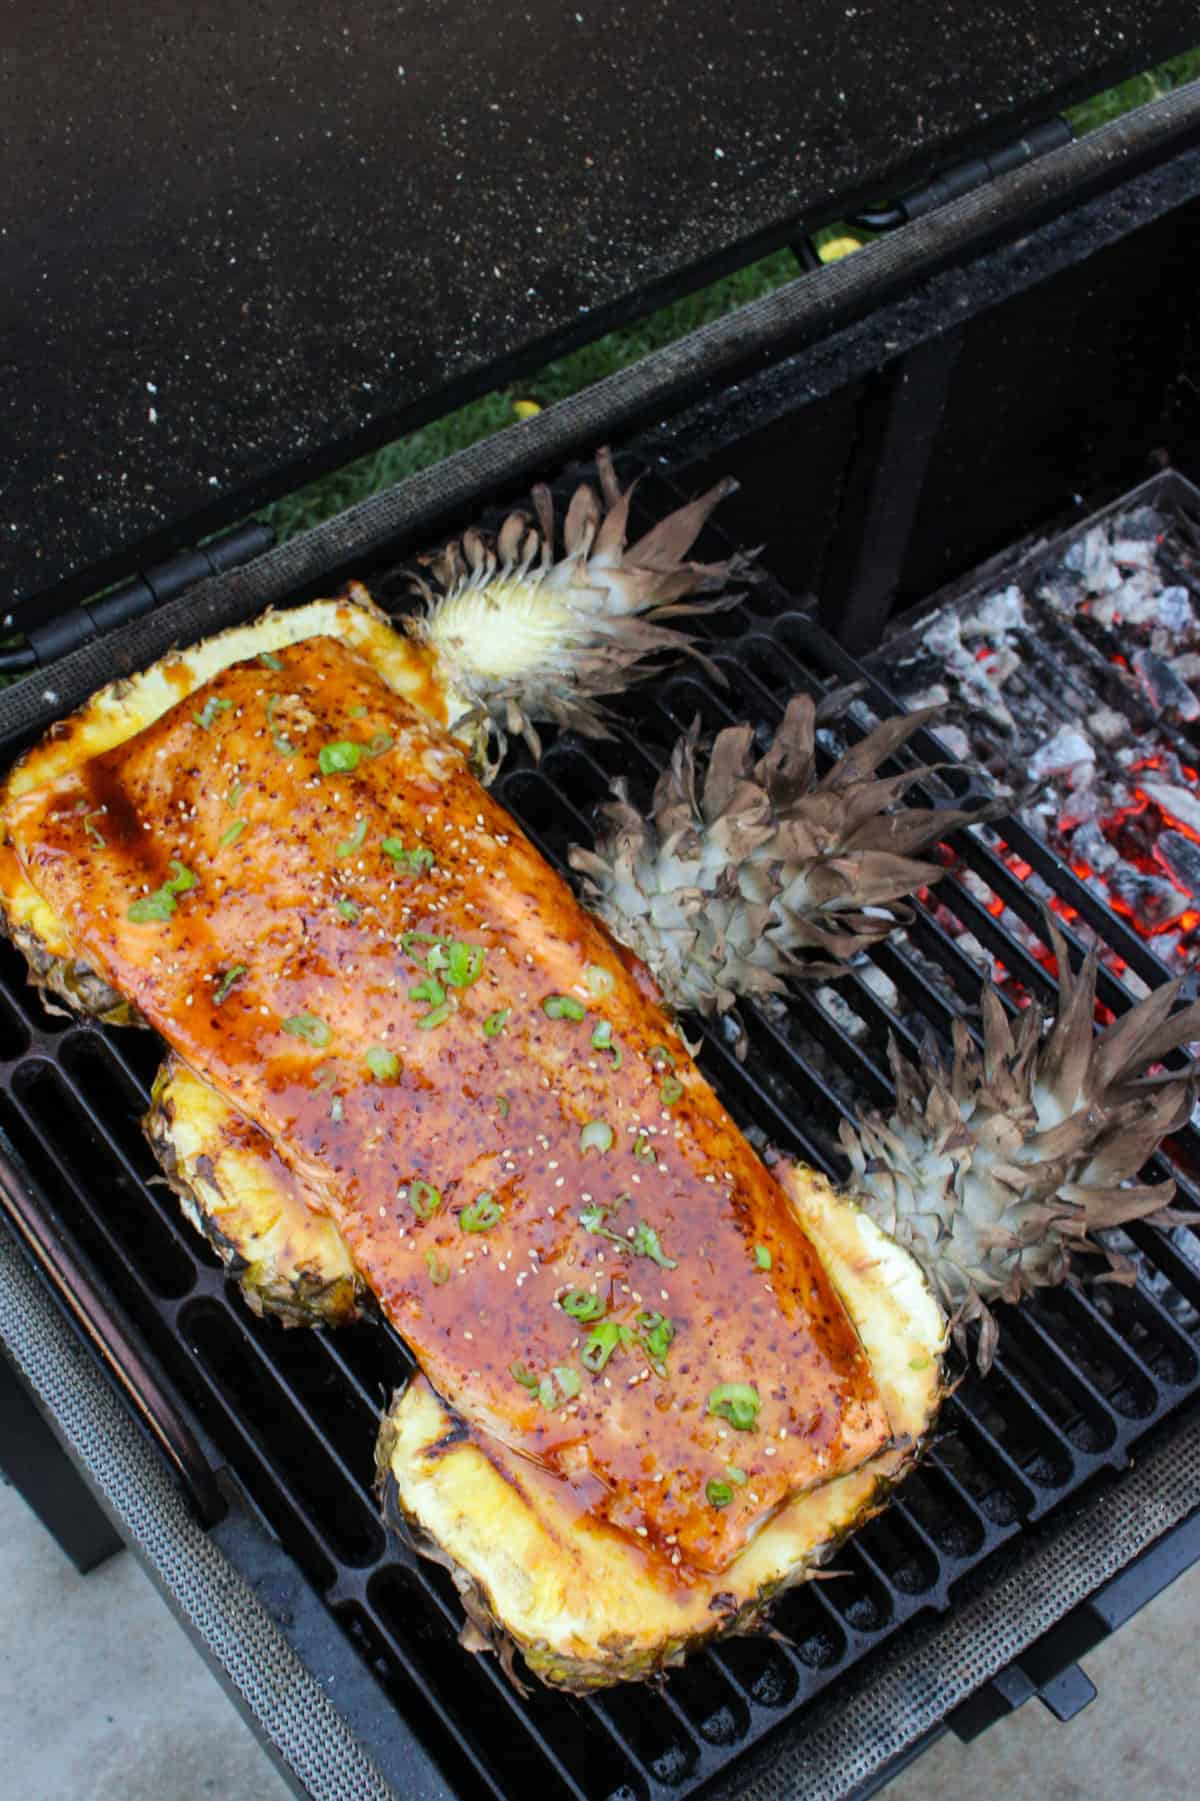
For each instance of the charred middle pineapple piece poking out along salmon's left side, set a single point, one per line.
(287, 1260)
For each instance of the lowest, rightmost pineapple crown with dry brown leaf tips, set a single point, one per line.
(997, 1168)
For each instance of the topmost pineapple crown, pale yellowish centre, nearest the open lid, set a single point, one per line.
(525, 638)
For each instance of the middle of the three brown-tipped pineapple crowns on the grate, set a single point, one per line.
(752, 871)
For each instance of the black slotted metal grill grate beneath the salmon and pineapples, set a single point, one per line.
(1080, 1379)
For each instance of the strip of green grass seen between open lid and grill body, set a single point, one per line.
(617, 350)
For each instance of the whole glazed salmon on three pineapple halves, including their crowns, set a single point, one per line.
(410, 1076)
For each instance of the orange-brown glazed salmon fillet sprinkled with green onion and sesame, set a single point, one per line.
(300, 883)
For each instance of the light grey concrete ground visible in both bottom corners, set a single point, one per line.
(104, 1699)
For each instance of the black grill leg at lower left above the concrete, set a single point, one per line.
(41, 1472)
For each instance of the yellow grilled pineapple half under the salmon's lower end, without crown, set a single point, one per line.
(574, 1597)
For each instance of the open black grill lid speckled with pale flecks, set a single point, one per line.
(241, 242)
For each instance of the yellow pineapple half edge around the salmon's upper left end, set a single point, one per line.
(132, 703)
